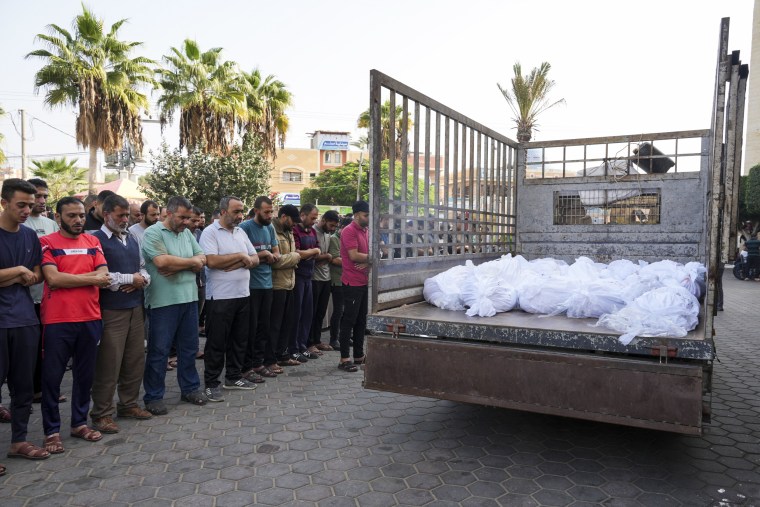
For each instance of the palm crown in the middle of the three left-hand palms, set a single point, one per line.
(209, 94)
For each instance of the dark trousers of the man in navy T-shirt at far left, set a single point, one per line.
(18, 353)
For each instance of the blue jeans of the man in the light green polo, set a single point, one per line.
(178, 324)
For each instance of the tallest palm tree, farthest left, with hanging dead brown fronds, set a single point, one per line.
(91, 70)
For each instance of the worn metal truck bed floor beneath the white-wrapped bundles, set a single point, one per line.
(526, 329)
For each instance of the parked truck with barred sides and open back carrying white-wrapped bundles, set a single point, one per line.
(446, 189)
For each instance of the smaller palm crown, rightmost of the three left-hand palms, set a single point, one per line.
(266, 102)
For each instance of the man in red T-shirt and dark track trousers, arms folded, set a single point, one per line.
(74, 268)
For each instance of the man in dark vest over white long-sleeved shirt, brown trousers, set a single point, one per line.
(121, 355)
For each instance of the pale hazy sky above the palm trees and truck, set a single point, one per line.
(622, 67)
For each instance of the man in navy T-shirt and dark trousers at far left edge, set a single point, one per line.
(19, 326)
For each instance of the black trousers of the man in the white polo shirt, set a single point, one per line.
(226, 339)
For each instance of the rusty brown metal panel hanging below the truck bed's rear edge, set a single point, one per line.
(640, 393)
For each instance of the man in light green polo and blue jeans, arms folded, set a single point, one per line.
(172, 258)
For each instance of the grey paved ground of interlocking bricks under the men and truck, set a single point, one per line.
(315, 437)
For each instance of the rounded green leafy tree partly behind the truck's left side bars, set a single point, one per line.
(338, 186)
